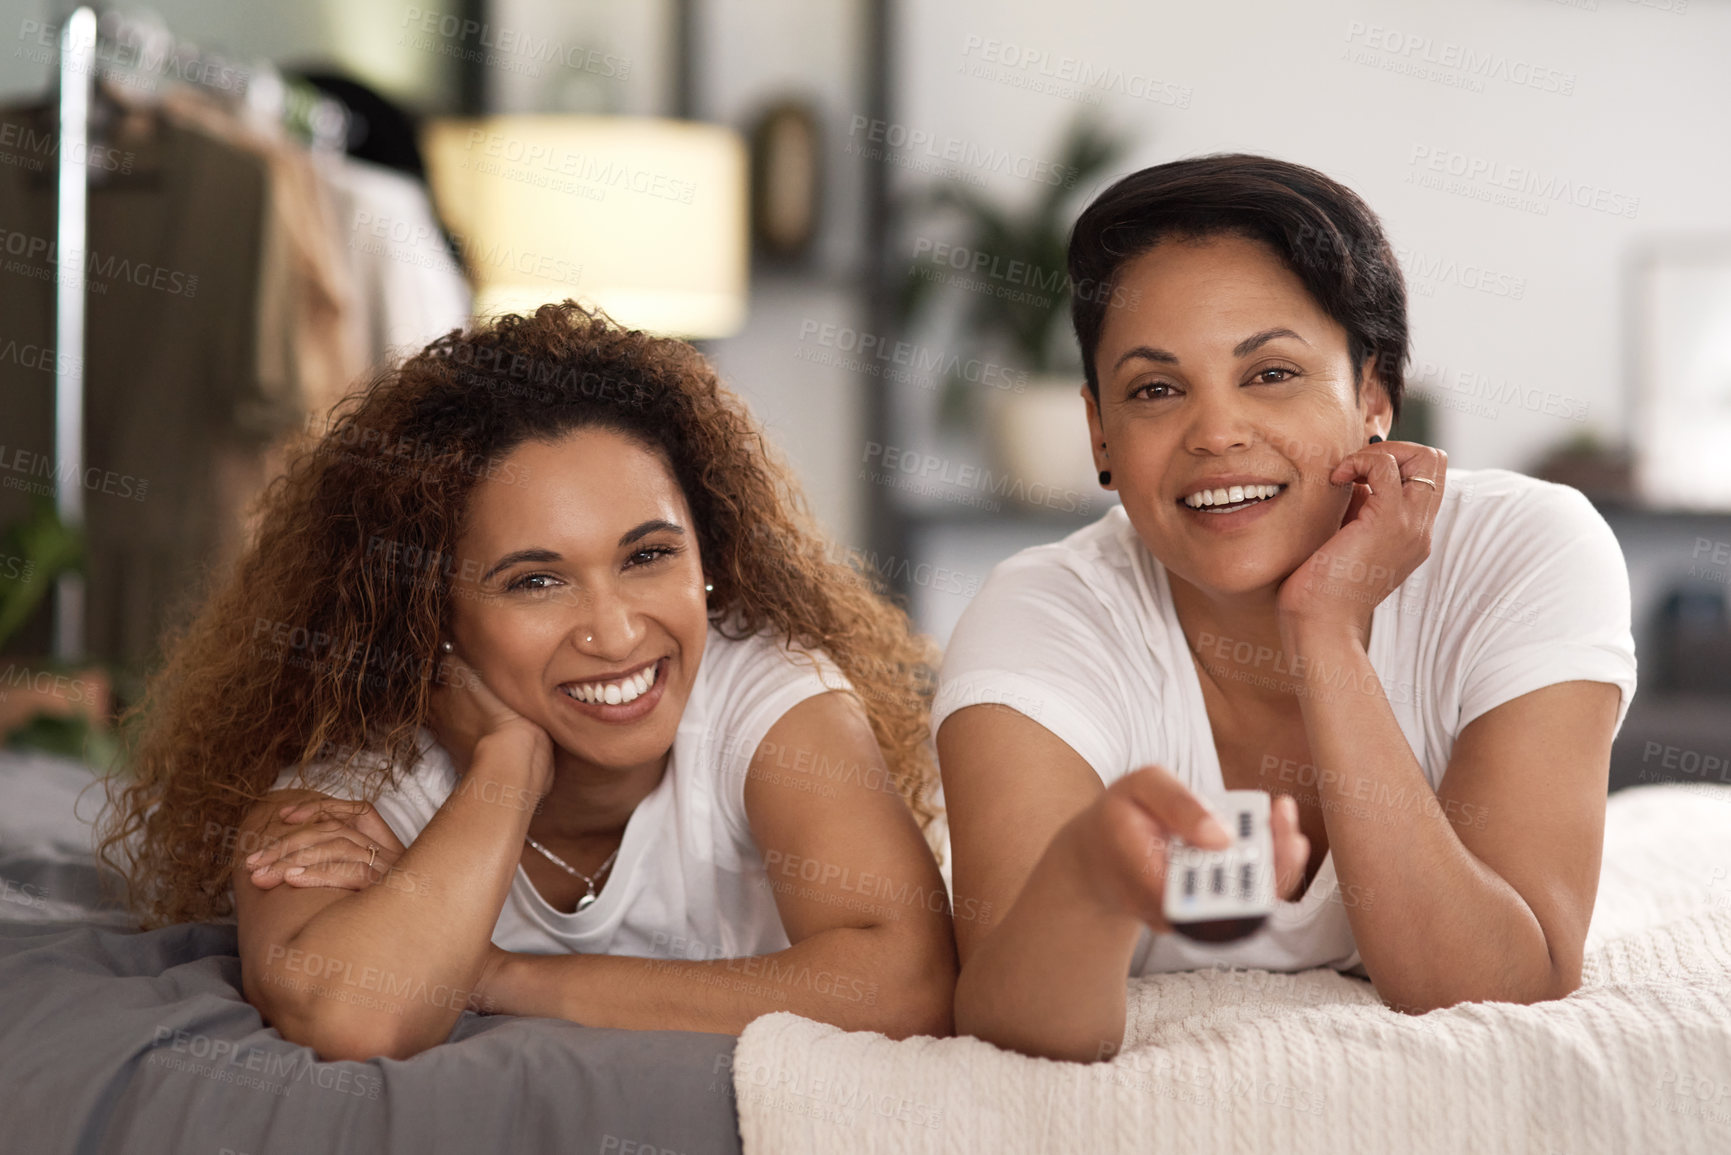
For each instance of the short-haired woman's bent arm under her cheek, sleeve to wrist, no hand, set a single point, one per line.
(1484, 887)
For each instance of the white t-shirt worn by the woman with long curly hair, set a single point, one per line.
(690, 881)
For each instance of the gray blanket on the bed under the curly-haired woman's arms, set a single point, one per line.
(141, 1043)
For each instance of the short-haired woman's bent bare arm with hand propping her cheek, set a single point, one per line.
(1484, 887)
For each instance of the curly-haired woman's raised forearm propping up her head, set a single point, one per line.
(390, 969)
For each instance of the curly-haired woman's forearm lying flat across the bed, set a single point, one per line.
(854, 978)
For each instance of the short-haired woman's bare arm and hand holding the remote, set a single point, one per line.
(1076, 870)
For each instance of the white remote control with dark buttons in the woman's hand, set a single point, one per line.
(1221, 896)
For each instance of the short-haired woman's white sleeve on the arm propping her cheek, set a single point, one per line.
(1550, 605)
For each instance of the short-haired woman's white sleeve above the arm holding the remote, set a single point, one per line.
(1039, 642)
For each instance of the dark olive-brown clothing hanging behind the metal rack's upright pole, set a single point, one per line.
(172, 387)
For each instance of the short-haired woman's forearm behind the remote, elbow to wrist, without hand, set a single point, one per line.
(1050, 979)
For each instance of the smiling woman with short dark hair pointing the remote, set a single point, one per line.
(1425, 666)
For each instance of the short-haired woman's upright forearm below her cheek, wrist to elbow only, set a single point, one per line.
(1432, 922)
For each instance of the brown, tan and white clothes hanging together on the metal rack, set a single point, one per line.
(233, 297)
